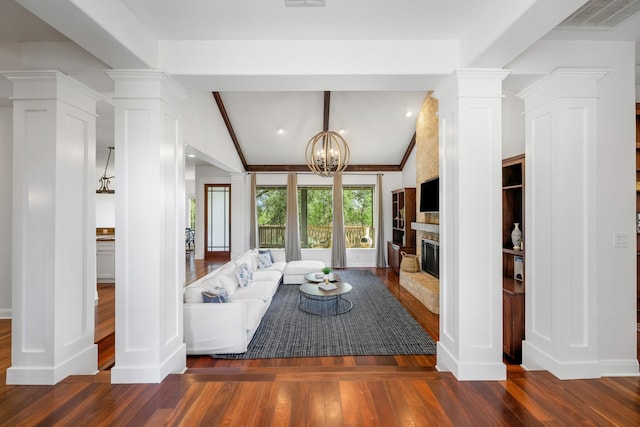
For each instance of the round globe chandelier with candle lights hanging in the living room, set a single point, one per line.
(327, 153)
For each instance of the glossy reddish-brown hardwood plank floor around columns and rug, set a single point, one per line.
(334, 391)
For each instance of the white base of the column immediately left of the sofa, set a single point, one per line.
(174, 364)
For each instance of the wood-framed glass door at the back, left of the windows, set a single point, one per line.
(217, 213)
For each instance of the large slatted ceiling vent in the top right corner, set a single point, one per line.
(604, 14)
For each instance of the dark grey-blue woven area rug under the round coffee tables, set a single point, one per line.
(376, 325)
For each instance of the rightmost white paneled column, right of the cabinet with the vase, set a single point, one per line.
(561, 211)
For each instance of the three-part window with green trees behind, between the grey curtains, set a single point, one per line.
(315, 215)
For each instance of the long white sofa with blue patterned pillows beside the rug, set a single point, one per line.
(223, 328)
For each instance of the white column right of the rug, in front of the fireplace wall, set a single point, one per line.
(470, 147)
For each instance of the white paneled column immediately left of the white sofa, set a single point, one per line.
(149, 226)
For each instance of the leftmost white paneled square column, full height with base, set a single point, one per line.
(54, 246)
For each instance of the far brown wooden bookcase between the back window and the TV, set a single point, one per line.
(403, 213)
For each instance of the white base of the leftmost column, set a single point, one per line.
(84, 363)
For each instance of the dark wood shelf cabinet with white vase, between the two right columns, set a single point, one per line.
(513, 257)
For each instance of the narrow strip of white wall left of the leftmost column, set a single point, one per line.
(6, 182)
